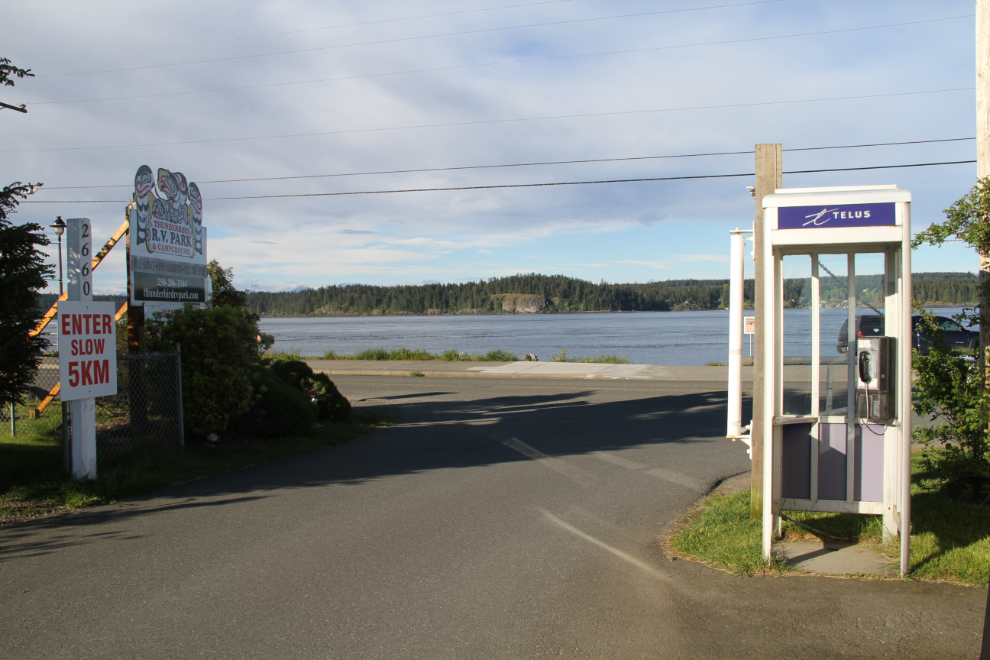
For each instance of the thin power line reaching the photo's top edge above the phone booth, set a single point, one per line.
(420, 37)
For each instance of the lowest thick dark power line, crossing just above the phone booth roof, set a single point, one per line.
(515, 185)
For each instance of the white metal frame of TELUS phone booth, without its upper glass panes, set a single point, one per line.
(802, 467)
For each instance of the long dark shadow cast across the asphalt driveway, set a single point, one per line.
(431, 435)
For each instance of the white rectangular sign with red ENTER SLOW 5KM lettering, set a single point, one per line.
(87, 341)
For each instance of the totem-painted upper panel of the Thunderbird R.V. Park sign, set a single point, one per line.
(169, 220)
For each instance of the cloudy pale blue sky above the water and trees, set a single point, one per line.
(319, 89)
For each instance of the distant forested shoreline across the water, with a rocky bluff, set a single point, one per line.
(535, 293)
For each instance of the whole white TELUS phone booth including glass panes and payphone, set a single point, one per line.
(824, 449)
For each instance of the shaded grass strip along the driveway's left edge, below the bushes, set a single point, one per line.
(33, 481)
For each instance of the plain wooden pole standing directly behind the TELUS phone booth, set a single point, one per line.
(769, 177)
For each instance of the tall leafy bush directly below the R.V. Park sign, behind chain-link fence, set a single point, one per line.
(219, 348)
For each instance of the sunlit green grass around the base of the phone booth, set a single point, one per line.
(950, 539)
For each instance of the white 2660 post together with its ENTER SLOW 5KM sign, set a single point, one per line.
(87, 348)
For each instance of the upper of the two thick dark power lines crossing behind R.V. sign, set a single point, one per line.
(532, 164)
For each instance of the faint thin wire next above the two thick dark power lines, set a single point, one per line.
(493, 121)
